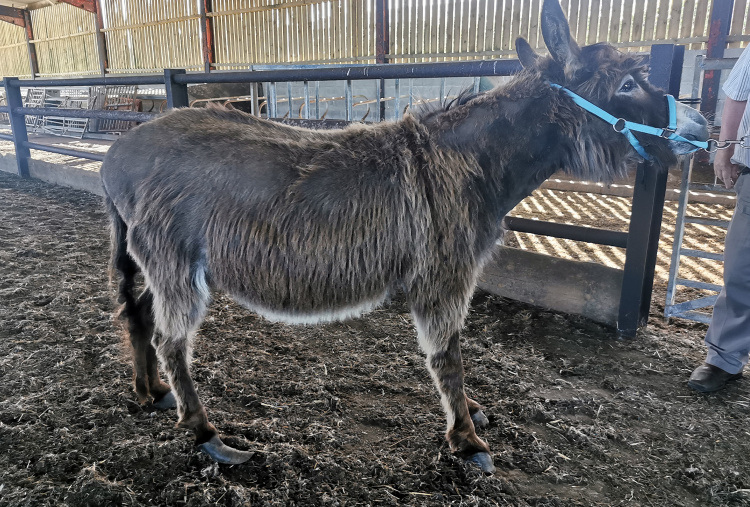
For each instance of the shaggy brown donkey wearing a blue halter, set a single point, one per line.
(307, 226)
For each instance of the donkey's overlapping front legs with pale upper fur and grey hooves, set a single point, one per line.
(446, 368)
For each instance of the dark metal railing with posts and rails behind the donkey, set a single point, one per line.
(648, 200)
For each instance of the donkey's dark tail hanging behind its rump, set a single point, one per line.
(121, 262)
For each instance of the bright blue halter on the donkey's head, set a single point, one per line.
(626, 127)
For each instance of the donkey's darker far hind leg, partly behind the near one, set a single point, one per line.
(145, 364)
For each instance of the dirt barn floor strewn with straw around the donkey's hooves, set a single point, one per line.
(346, 414)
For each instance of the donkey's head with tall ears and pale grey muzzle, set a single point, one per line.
(615, 82)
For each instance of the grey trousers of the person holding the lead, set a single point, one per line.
(728, 336)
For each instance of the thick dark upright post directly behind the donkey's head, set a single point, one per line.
(648, 207)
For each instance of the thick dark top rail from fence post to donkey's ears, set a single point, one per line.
(384, 71)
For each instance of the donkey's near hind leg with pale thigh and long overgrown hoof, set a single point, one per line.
(175, 329)
